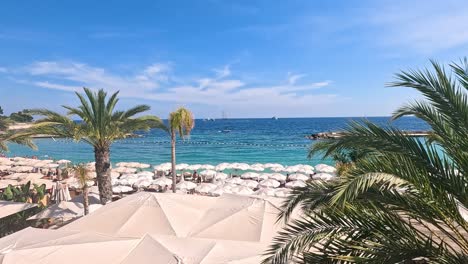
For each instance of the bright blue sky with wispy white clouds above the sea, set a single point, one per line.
(247, 58)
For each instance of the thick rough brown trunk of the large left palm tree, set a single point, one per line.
(102, 157)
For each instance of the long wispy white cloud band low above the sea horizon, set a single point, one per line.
(155, 83)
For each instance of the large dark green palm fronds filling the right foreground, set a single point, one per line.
(405, 201)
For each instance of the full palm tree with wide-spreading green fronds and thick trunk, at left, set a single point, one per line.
(100, 126)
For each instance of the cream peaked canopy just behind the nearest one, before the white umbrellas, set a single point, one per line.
(185, 216)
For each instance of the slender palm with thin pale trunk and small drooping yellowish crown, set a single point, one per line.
(181, 122)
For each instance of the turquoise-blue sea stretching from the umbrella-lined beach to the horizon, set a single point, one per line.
(212, 142)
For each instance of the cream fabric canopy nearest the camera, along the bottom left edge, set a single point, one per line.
(33, 245)
